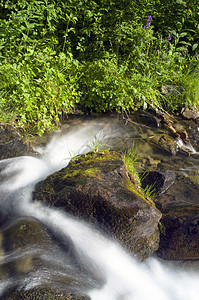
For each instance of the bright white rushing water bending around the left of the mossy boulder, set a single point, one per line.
(121, 276)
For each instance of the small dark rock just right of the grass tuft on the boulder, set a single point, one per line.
(159, 181)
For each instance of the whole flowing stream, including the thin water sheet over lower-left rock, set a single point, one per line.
(76, 256)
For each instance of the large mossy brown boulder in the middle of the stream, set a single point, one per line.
(96, 188)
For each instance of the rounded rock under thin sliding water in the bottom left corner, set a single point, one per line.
(31, 256)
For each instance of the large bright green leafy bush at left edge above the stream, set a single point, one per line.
(38, 89)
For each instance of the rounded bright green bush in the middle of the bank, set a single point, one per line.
(105, 86)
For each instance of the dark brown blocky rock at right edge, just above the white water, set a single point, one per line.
(180, 234)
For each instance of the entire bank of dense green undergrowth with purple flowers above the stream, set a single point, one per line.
(107, 55)
